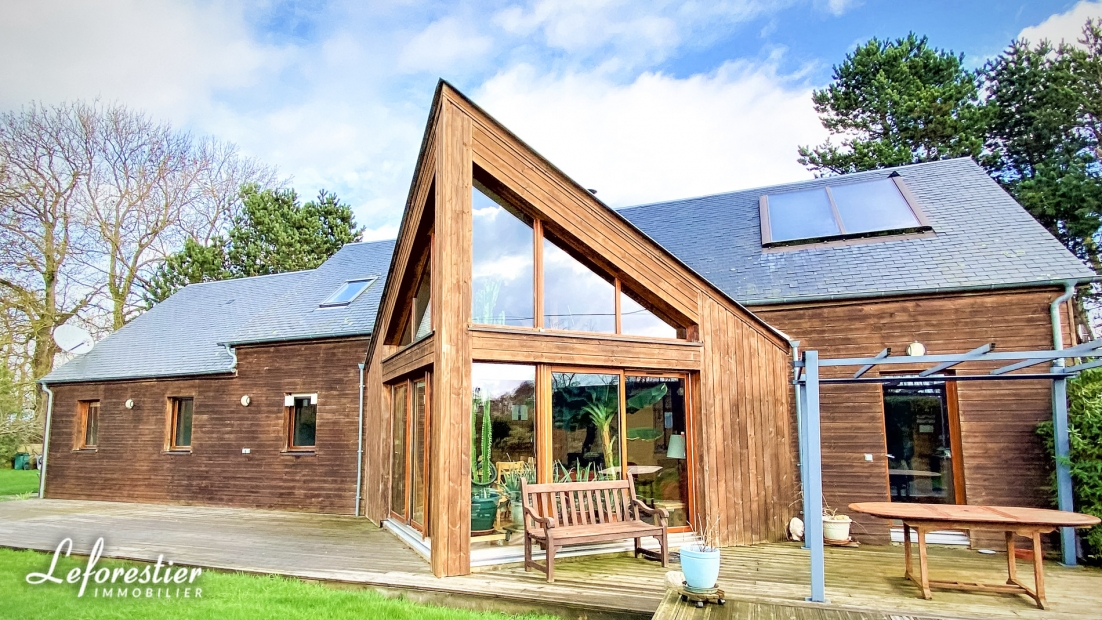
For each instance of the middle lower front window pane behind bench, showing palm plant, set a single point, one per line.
(586, 426)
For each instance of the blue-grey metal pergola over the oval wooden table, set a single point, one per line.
(807, 380)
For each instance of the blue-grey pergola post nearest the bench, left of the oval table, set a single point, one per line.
(812, 475)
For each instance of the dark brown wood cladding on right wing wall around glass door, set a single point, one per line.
(1003, 458)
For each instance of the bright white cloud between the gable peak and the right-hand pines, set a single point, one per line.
(660, 137)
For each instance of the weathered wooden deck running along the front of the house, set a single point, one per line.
(763, 581)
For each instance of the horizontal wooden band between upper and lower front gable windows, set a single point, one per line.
(521, 346)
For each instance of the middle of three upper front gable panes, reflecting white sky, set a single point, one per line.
(576, 298)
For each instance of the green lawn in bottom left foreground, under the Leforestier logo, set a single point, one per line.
(225, 596)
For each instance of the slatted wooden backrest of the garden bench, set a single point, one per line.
(580, 504)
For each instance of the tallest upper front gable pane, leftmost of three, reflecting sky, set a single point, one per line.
(502, 276)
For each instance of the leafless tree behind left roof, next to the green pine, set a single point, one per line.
(150, 189)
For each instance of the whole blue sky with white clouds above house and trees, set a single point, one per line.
(645, 102)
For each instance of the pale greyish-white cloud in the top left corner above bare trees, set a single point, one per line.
(165, 58)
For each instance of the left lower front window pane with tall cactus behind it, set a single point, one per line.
(503, 445)
